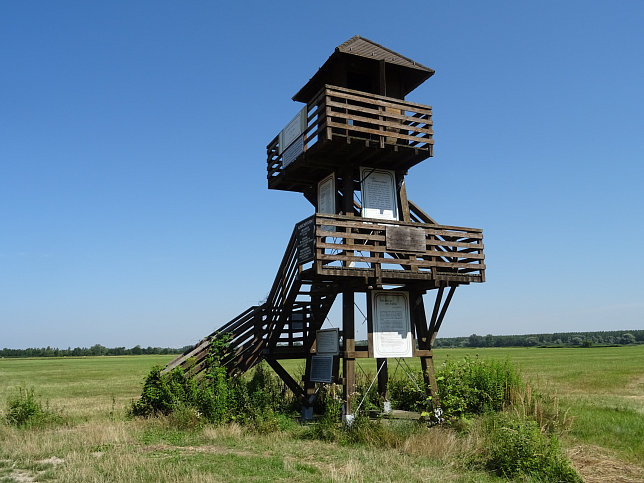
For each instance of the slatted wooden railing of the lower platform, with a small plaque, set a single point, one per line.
(395, 252)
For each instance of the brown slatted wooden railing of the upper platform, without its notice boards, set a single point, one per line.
(337, 112)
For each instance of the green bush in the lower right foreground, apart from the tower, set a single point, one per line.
(517, 448)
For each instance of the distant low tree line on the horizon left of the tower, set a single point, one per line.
(95, 350)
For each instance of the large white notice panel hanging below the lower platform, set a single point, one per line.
(391, 324)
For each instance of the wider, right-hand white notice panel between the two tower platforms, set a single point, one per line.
(379, 198)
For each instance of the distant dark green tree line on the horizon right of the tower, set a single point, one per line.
(558, 339)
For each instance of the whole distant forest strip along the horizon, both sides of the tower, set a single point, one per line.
(560, 339)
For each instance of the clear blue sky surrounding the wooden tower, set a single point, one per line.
(133, 198)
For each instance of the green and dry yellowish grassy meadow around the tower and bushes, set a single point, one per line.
(602, 388)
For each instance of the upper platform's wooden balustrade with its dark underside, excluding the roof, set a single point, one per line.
(341, 123)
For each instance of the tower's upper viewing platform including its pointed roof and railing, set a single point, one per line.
(355, 115)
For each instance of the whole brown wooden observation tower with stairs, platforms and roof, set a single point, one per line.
(348, 151)
